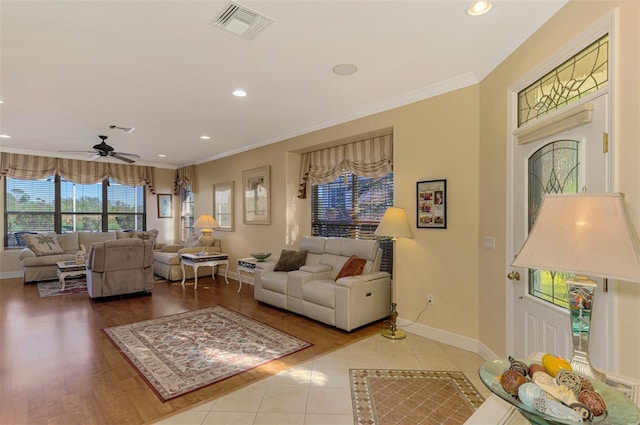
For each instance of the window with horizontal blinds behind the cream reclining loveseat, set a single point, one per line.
(352, 207)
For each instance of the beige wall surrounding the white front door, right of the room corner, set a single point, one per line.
(572, 20)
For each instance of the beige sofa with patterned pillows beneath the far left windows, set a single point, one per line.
(45, 249)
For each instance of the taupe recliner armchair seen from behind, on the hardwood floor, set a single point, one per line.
(120, 267)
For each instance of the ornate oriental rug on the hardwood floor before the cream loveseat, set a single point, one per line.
(183, 352)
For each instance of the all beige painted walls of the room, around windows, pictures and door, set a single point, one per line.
(472, 304)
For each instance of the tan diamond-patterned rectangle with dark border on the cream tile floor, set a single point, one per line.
(412, 397)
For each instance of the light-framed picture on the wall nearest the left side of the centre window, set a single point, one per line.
(256, 195)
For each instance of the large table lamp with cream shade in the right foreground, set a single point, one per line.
(584, 234)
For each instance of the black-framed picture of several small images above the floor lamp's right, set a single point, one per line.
(432, 204)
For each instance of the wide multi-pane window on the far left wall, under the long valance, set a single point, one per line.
(57, 205)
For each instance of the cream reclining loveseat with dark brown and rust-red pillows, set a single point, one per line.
(312, 289)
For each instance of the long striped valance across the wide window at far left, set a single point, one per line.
(31, 167)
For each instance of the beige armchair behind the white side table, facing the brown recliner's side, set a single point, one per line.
(166, 261)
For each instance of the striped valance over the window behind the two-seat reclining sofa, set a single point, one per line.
(367, 158)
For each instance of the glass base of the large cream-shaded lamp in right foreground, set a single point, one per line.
(581, 291)
